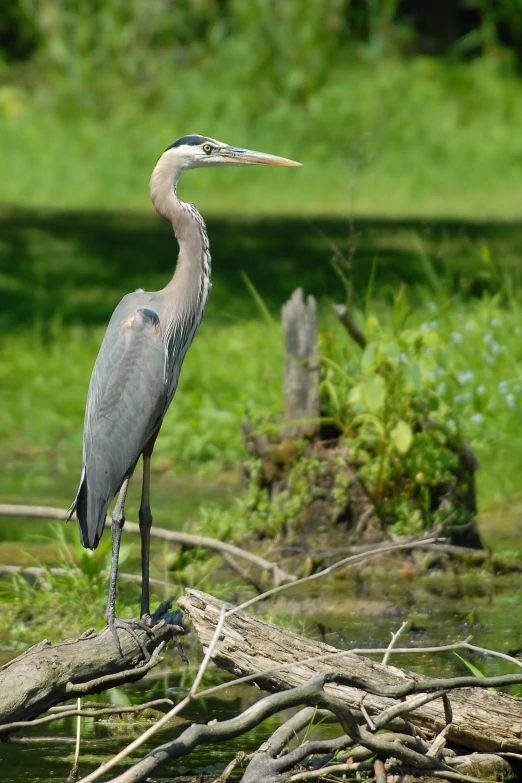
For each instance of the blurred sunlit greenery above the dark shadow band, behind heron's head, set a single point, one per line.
(382, 122)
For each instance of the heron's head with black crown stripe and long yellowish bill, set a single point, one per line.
(196, 151)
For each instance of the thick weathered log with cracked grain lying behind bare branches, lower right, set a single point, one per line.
(481, 720)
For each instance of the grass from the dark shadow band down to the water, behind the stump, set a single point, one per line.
(70, 276)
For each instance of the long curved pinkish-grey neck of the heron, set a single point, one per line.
(188, 290)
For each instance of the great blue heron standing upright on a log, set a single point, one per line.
(139, 362)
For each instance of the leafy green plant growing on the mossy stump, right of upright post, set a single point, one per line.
(401, 435)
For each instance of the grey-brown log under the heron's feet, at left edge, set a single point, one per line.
(48, 674)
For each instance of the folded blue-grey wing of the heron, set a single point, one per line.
(126, 402)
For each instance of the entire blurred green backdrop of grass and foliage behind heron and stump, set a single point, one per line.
(406, 116)
